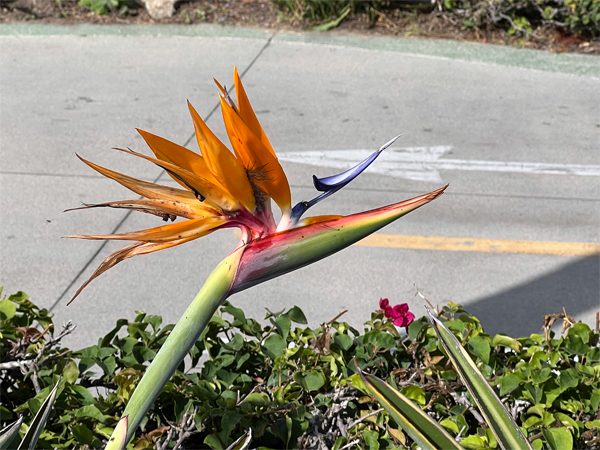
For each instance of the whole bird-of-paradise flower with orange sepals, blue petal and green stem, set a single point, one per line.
(220, 189)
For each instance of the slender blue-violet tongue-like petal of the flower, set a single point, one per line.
(330, 185)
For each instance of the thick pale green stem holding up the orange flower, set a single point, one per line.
(180, 341)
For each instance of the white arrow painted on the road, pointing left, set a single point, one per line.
(423, 163)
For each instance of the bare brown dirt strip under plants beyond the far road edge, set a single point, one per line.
(261, 14)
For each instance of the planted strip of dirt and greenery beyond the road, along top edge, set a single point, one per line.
(556, 25)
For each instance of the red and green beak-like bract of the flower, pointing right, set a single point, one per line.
(283, 252)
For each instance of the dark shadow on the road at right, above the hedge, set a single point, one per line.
(519, 311)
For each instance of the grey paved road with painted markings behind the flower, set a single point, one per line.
(515, 133)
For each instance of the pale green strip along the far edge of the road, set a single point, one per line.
(562, 63)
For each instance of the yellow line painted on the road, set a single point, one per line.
(481, 245)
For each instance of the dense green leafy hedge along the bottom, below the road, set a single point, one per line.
(294, 385)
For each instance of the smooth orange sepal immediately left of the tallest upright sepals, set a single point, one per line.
(223, 164)
